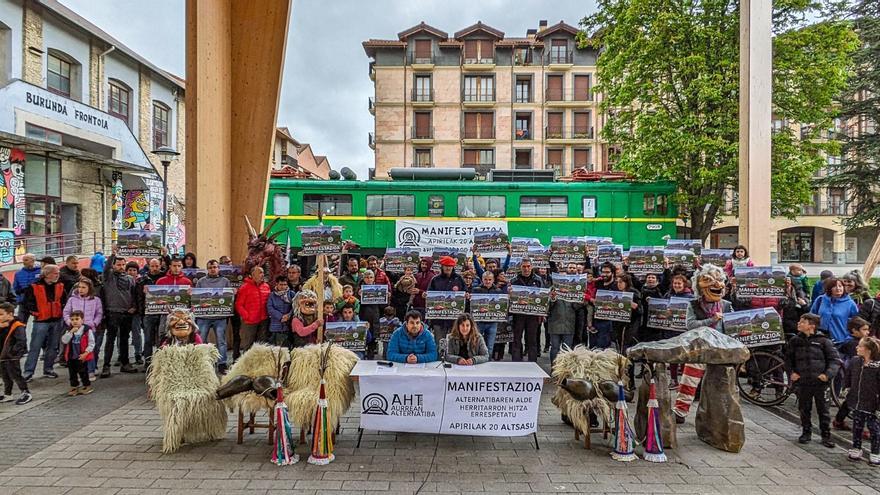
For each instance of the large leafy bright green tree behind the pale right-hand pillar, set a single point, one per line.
(668, 71)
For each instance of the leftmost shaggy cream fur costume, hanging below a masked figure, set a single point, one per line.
(182, 382)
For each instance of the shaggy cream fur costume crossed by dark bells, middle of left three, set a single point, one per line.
(259, 360)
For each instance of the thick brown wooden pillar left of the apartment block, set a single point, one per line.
(234, 60)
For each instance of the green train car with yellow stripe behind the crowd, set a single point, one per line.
(632, 213)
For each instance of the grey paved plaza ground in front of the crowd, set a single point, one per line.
(110, 443)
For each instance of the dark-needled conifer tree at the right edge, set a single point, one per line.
(860, 109)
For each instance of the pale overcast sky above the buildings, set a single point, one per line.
(325, 82)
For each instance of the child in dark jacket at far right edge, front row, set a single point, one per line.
(863, 379)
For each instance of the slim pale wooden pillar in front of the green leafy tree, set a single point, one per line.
(755, 115)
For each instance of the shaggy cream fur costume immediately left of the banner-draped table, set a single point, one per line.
(304, 381)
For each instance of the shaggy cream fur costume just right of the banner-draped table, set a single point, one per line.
(594, 366)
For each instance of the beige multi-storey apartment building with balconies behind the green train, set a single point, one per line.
(483, 100)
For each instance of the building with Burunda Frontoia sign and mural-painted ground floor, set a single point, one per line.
(79, 115)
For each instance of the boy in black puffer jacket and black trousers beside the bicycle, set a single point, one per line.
(812, 361)
